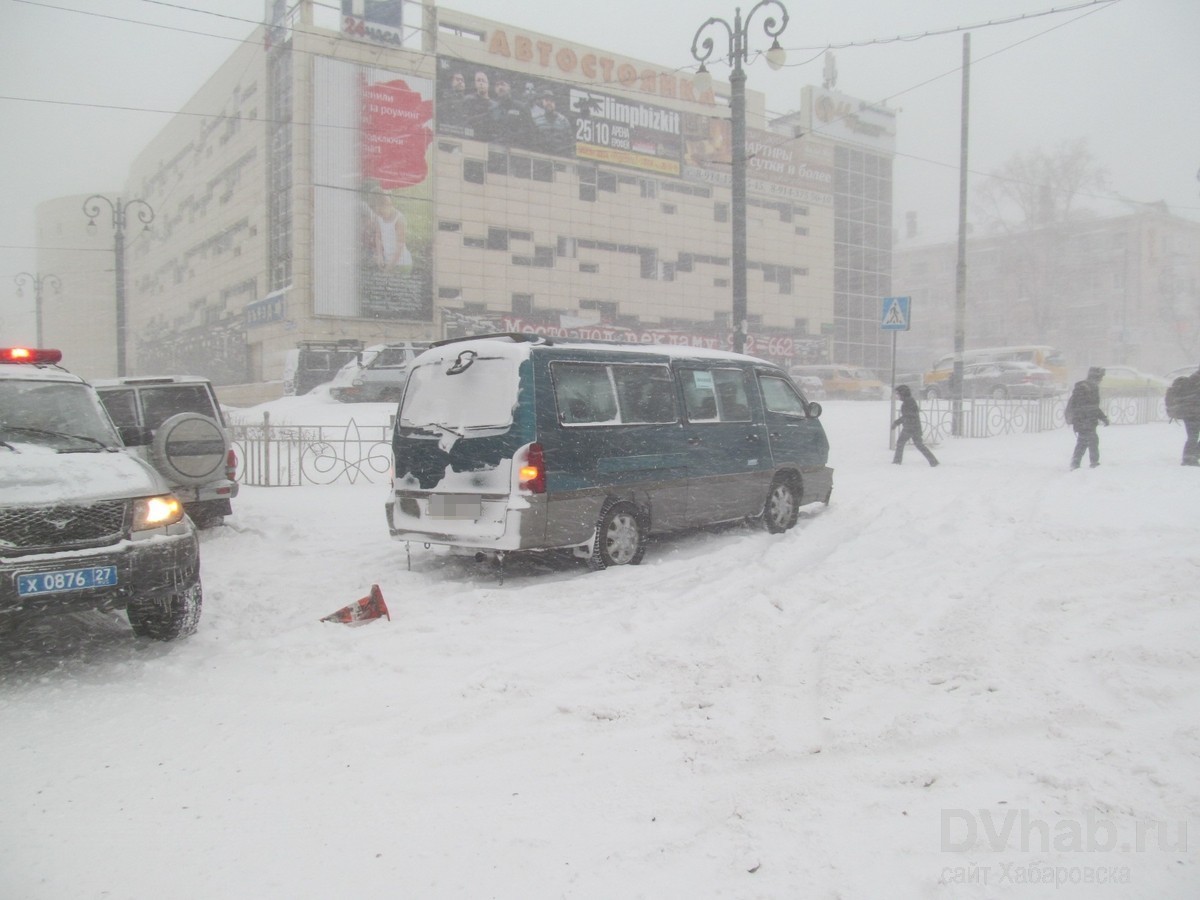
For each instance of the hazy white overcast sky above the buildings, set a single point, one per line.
(85, 85)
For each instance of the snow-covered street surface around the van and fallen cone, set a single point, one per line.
(969, 682)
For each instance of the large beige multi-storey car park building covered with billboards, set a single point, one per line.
(418, 181)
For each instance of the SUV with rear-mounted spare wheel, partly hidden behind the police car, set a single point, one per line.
(177, 425)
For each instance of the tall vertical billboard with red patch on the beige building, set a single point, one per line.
(373, 194)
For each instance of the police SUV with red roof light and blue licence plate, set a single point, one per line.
(83, 524)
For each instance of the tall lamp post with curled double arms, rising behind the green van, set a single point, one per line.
(737, 55)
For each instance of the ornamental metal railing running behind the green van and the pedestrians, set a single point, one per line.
(291, 455)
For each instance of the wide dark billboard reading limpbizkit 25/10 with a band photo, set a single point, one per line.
(530, 113)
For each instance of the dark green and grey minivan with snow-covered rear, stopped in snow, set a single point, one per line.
(511, 443)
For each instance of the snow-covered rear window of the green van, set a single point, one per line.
(479, 395)
